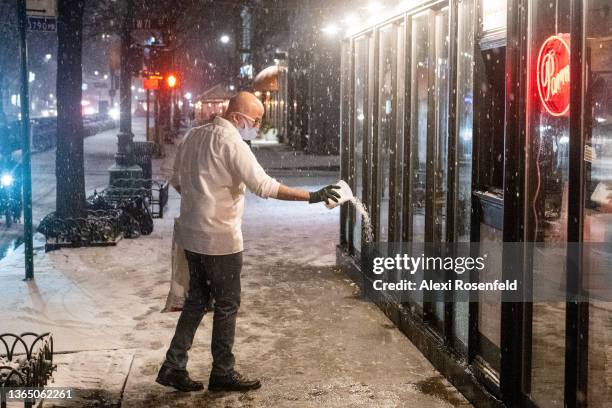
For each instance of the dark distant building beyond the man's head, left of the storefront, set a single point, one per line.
(287, 38)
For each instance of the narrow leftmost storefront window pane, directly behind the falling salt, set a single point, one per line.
(359, 129)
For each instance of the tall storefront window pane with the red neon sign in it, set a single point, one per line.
(547, 188)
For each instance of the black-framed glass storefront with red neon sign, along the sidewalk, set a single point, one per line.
(487, 121)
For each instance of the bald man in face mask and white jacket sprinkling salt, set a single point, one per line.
(212, 167)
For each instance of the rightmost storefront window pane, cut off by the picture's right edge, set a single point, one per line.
(597, 212)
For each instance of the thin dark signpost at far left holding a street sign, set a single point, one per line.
(26, 162)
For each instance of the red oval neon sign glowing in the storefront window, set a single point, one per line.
(553, 75)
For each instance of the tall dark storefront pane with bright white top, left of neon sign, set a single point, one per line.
(489, 97)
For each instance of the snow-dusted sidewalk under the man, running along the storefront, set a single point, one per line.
(302, 327)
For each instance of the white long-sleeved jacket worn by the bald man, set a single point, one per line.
(212, 166)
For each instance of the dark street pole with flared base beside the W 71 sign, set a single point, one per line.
(125, 166)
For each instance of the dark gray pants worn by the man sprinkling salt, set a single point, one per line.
(216, 277)
